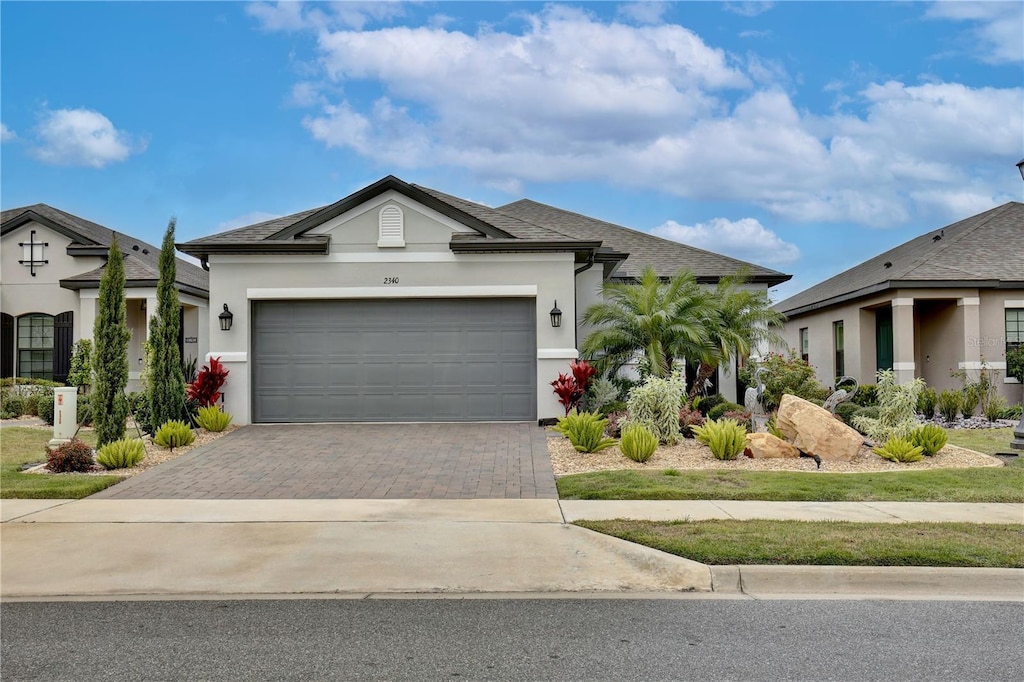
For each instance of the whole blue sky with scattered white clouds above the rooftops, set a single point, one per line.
(805, 137)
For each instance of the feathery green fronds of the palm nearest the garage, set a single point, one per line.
(661, 321)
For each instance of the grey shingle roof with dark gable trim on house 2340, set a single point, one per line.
(522, 226)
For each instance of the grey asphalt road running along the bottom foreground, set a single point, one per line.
(513, 641)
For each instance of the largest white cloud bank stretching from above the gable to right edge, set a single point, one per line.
(572, 99)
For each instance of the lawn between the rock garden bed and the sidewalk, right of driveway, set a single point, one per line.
(991, 485)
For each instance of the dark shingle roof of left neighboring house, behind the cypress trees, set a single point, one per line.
(143, 262)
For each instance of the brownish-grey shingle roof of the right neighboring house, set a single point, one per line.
(986, 250)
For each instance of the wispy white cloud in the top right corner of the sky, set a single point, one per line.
(999, 33)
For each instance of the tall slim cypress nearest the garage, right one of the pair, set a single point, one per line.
(167, 383)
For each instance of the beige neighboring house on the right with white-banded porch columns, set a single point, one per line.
(950, 301)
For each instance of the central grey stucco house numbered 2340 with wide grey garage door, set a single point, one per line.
(402, 304)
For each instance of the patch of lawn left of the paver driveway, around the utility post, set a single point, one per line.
(24, 446)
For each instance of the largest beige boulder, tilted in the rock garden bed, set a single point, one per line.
(816, 432)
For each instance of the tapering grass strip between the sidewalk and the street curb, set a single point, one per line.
(828, 543)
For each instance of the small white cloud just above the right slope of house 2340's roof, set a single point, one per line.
(746, 239)
